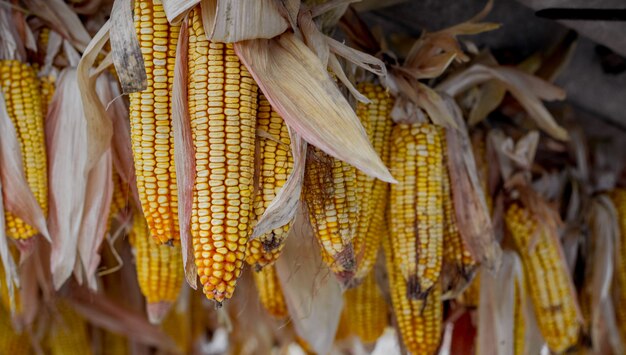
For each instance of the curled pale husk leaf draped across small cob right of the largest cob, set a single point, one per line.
(284, 206)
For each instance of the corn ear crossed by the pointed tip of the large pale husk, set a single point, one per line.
(372, 193)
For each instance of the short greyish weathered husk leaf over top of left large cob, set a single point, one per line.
(127, 56)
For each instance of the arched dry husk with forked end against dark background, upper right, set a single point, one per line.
(527, 89)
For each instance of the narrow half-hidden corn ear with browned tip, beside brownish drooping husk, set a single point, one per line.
(457, 258)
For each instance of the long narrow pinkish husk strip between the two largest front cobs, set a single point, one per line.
(184, 153)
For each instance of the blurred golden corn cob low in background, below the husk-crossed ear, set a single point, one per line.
(365, 310)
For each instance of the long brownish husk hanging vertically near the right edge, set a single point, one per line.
(605, 238)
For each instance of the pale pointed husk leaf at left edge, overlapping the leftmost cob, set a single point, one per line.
(18, 197)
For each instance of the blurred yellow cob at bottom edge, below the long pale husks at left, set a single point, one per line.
(68, 333)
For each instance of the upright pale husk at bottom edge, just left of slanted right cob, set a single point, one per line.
(497, 303)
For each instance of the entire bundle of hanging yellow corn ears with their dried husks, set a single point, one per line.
(328, 197)
